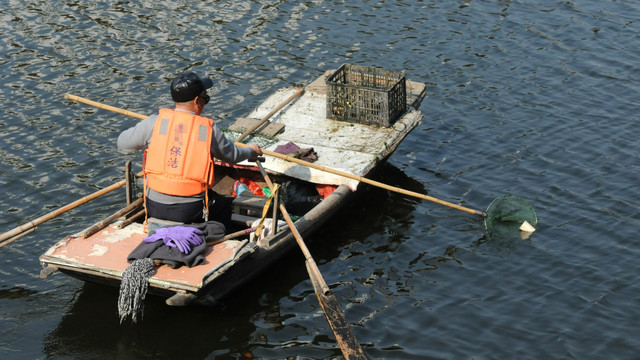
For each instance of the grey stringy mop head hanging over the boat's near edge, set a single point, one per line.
(133, 289)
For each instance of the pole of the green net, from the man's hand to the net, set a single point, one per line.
(369, 181)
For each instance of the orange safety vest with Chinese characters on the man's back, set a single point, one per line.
(178, 160)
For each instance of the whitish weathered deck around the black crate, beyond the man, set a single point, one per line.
(344, 146)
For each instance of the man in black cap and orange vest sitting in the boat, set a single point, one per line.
(178, 164)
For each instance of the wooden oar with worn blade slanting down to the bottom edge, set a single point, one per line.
(347, 341)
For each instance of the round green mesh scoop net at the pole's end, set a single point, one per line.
(506, 215)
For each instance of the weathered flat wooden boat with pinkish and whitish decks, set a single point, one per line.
(99, 253)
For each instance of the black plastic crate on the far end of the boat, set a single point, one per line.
(366, 95)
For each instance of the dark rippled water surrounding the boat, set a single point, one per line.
(535, 98)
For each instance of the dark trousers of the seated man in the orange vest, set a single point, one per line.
(219, 210)
